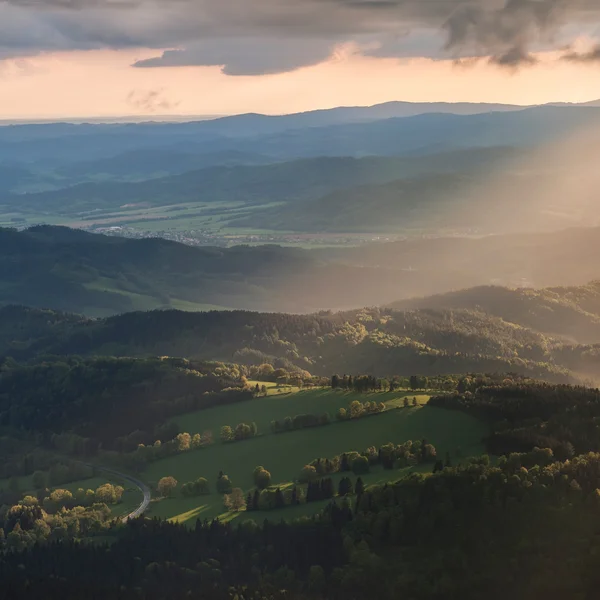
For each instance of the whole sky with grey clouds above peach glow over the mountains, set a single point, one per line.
(78, 58)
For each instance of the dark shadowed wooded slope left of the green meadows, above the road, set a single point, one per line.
(106, 400)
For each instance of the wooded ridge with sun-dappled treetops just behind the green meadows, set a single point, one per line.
(381, 342)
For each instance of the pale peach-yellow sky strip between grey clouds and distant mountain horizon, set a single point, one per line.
(103, 84)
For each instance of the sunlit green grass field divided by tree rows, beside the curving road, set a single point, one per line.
(285, 454)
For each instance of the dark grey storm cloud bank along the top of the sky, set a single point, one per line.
(271, 36)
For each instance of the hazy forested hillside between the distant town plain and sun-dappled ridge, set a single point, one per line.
(97, 275)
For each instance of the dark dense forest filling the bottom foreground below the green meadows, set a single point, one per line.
(467, 531)
